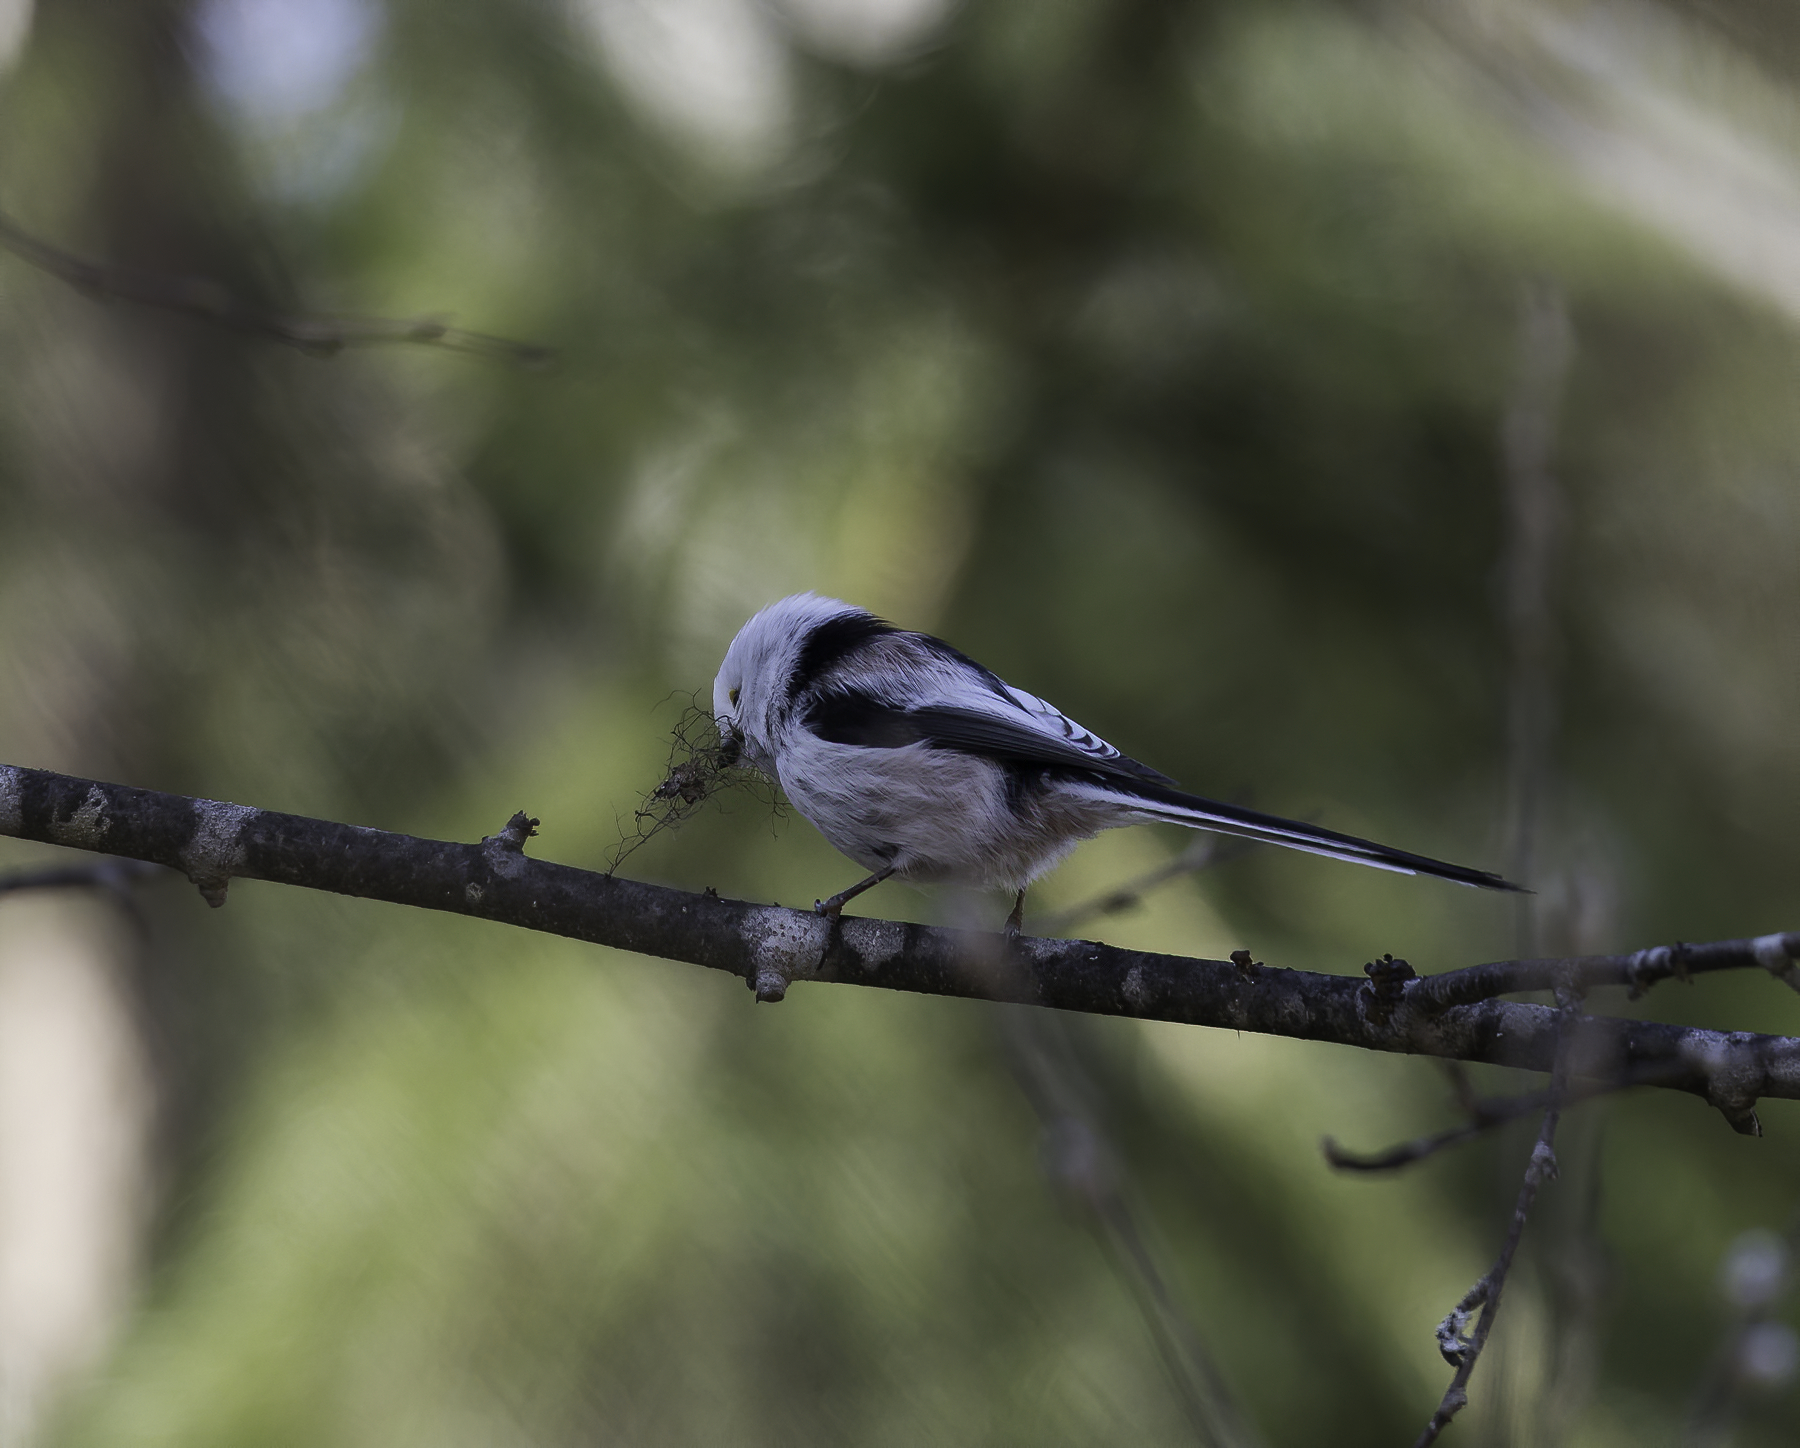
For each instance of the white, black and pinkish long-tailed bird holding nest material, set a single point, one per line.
(919, 763)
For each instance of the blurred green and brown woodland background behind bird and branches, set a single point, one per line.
(1378, 413)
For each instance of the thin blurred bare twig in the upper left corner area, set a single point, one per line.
(210, 302)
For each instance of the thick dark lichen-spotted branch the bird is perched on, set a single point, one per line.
(769, 946)
